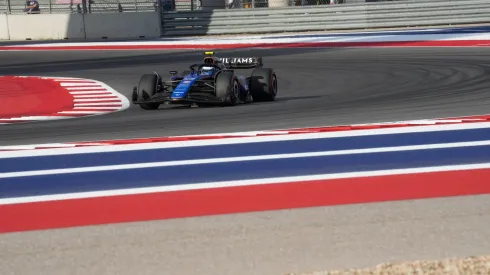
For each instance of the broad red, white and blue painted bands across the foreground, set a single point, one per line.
(423, 161)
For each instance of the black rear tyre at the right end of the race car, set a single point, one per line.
(263, 84)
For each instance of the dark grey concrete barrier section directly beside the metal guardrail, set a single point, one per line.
(122, 25)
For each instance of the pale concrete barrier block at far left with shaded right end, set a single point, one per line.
(45, 26)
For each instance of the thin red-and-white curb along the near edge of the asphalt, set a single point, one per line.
(311, 130)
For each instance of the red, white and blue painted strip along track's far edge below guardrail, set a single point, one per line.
(400, 38)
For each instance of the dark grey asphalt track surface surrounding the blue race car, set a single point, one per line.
(316, 87)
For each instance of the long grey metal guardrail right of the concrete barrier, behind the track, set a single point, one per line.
(326, 17)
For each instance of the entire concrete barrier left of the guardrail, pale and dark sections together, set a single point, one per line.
(80, 26)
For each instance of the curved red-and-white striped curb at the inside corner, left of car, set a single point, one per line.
(90, 97)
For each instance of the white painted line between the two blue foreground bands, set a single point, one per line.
(237, 159)
